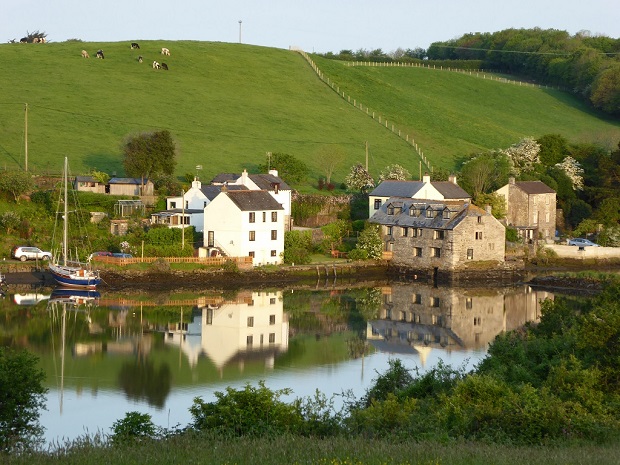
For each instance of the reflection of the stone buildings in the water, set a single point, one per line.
(418, 318)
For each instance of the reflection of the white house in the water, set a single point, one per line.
(252, 326)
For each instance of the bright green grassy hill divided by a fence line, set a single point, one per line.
(226, 105)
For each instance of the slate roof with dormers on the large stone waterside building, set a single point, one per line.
(457, 212)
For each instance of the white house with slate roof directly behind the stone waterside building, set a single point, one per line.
(420, 190)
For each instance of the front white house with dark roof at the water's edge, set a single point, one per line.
(246, 223)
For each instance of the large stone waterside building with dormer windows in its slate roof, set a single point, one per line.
(434, 235)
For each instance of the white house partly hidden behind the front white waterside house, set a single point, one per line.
(268, 182)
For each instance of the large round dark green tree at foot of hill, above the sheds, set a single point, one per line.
(149, 155)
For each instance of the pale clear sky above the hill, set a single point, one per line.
(315, 26)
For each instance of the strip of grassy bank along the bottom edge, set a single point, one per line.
(211, 449)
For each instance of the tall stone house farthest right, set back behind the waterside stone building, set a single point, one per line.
(530, 208)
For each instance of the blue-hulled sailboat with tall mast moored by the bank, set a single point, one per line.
(71, 273)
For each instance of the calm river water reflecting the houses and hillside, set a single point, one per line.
(108, 354)
